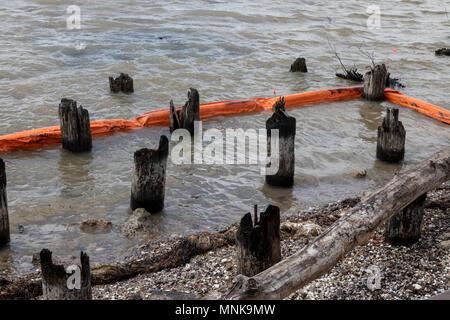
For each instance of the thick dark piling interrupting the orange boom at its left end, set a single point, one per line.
(75, 126)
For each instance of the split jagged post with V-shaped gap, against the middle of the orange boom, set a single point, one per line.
(190, 112)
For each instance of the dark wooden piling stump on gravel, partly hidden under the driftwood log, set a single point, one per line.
(404, 228)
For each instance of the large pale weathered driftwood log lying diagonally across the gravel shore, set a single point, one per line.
(354, 228)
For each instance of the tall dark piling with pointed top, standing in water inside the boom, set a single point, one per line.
(286, 126)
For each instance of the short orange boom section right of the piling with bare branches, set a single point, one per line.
(423, 107)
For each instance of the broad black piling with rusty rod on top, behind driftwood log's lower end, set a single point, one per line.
(258, 244)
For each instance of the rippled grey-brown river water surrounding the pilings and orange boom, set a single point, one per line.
(227, 50)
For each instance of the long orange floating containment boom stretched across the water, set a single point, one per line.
(38, 138)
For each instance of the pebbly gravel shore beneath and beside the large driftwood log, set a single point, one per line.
(417, 272)
